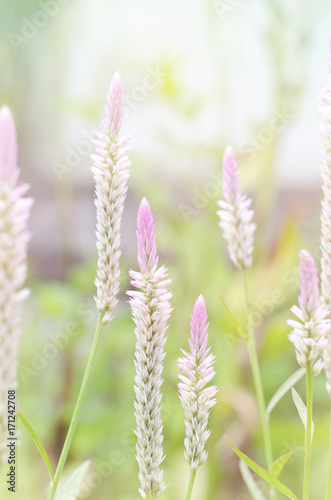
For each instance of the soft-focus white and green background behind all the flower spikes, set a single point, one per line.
(197, 75)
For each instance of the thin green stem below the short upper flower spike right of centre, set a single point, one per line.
(257, 375)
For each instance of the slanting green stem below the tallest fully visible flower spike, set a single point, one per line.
(75, 416)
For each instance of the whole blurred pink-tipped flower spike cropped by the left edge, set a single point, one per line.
(14, 238)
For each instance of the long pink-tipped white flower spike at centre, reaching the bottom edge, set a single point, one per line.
(151, 310)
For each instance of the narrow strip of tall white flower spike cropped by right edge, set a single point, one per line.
(325, 127)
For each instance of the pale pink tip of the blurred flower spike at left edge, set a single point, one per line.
(8, 147)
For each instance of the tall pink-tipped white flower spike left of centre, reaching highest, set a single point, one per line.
(111, 173)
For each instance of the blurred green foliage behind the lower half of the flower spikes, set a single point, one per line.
(63, 313)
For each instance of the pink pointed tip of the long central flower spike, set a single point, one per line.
(147, 252)
